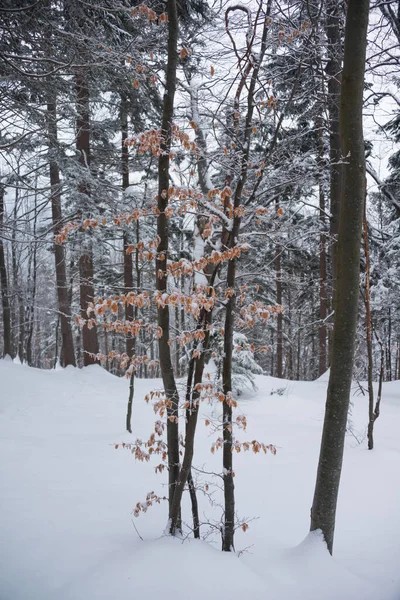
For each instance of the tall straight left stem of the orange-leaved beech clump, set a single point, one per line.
(167, 372)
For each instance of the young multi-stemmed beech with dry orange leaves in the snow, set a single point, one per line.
(223, 210)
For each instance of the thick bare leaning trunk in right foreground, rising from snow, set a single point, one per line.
(323, 511)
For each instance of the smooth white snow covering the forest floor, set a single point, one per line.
(67, 495)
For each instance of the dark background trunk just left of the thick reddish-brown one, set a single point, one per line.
(64, 306)
